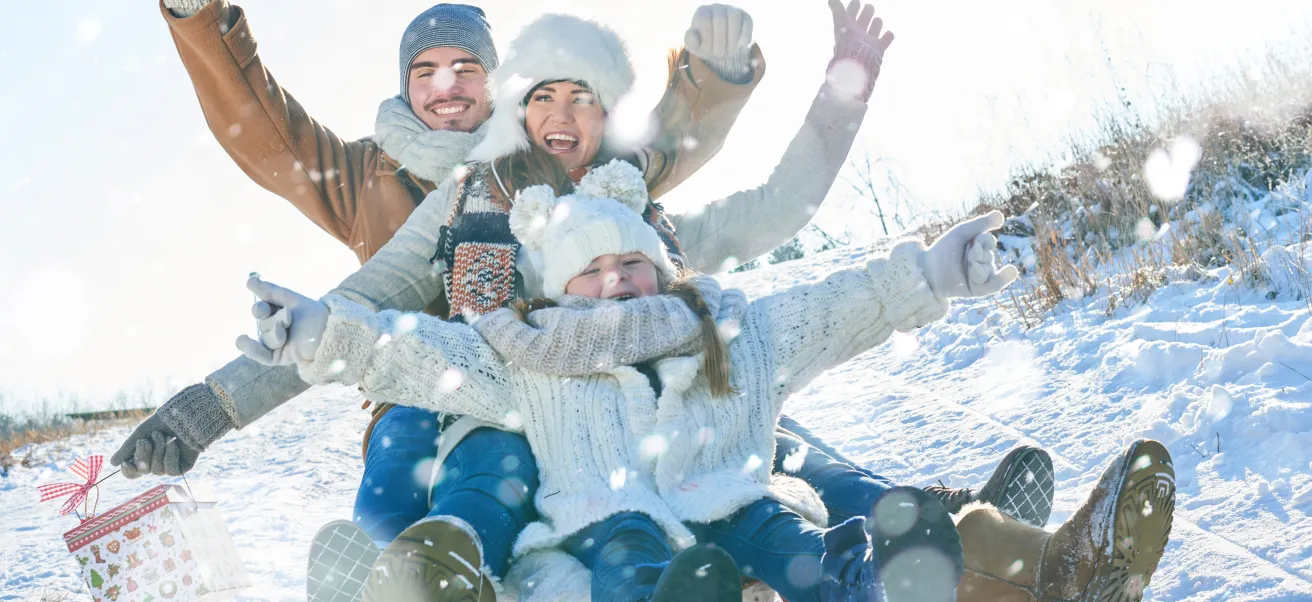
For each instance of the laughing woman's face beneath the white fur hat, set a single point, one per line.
(566, 120)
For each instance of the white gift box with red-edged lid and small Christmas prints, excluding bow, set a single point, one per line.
(161, 546)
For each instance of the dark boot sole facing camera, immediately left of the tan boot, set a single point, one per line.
(916, 548)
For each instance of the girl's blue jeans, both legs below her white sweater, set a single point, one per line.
(626, 553)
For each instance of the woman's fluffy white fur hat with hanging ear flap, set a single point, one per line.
(552, 48)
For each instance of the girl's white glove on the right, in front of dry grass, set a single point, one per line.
(964, 262)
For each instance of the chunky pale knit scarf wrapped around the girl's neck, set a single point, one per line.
(588, 336)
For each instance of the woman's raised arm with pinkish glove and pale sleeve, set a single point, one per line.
(751, 224)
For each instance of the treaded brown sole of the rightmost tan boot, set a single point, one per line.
(1141, 525)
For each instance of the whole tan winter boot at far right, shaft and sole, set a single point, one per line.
(1105, 553)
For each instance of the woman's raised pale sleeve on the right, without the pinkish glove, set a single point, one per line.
(751, 224)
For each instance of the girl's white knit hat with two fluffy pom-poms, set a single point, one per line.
(603, 217)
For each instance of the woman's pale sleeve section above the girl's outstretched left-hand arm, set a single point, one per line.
(403, 276)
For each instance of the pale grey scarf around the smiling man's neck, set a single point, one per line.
(428, 154)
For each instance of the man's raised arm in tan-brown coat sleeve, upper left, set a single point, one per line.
(270, 136)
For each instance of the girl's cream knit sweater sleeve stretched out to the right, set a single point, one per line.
(813, 329)
